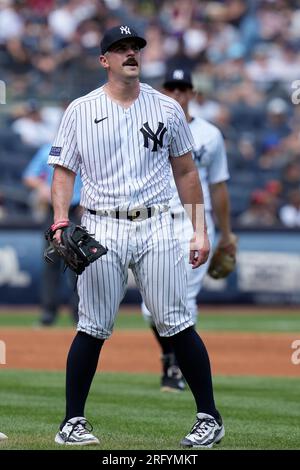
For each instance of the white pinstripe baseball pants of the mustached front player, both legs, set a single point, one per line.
(153, 253)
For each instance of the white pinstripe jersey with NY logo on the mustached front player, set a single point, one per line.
(122, 154)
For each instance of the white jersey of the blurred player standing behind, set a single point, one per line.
(210, 158)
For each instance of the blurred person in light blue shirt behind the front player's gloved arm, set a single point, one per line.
(38, 177)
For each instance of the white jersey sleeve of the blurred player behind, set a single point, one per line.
(218, 170)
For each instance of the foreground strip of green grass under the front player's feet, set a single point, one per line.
(129, 412)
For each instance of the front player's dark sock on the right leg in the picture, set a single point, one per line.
(194, 363)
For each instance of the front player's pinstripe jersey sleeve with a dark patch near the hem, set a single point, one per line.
(64, 151)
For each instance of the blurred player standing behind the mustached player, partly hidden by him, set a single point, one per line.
(210, 158)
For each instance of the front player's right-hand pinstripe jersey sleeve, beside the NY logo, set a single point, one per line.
(182, 140)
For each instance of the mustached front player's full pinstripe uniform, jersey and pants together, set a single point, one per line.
(125, 168)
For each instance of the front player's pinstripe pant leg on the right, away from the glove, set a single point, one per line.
(160, 274)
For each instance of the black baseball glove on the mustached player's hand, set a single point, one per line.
(78, 248)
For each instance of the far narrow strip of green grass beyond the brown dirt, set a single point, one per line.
(282, 321)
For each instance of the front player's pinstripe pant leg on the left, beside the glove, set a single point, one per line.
(102, 285)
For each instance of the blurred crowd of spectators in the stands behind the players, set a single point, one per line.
(245, 60)
